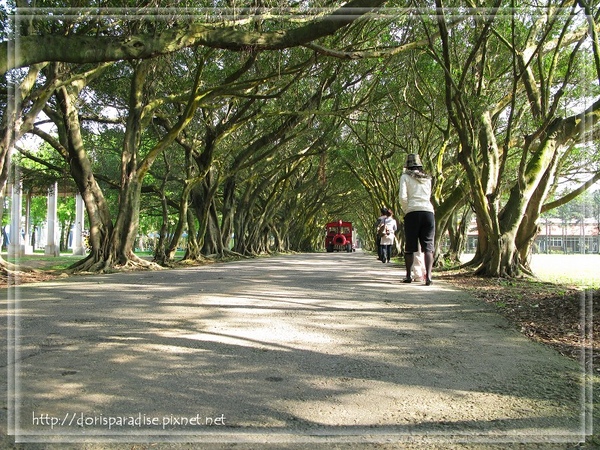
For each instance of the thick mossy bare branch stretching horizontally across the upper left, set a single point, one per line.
(27, 50)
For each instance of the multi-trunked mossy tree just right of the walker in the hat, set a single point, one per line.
(486, 119)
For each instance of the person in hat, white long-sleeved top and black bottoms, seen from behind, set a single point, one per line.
(419, 219)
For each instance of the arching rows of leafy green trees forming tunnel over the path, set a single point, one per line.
(247, 129)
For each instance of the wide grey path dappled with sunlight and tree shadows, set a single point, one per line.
(291, 351)
